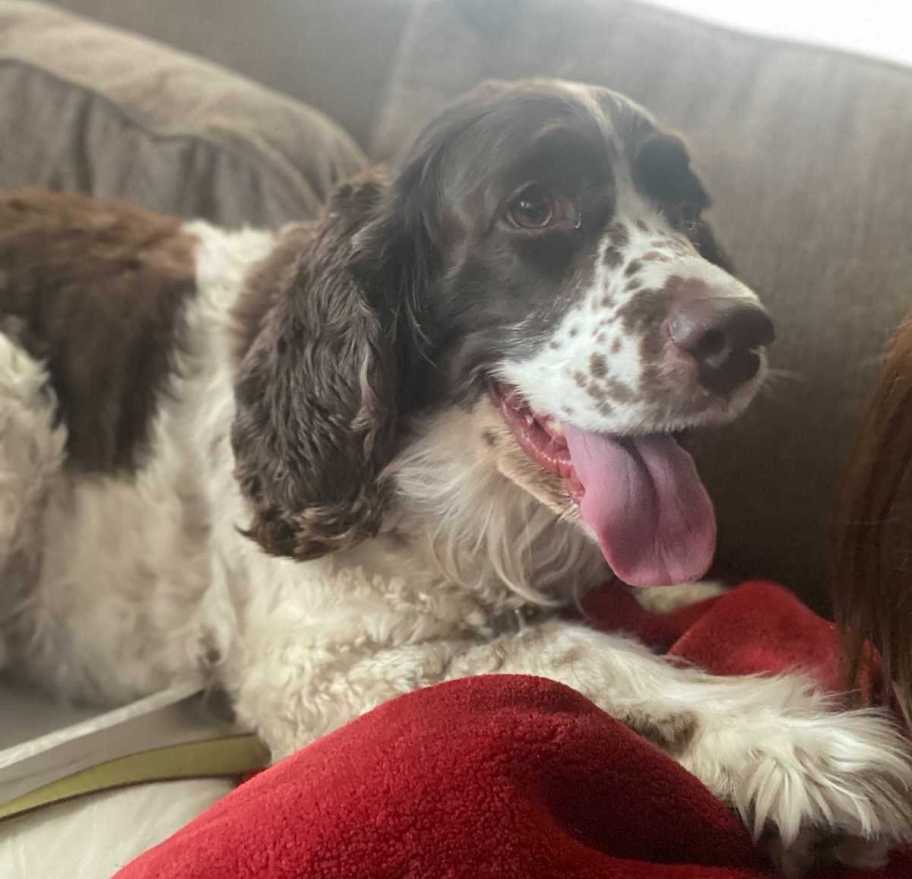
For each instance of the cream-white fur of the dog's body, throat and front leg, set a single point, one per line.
(145, 582)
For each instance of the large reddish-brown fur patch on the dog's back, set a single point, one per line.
(96, 290)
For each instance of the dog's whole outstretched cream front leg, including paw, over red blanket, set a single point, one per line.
(802, 776)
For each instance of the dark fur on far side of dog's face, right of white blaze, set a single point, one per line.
(663, 171)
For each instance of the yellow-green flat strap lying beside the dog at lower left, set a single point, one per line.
(223, 756)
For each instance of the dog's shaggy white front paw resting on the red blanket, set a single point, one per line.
(815, 787)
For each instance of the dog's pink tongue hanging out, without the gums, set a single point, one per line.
(647, 506)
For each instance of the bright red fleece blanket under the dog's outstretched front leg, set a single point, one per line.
(507, 776)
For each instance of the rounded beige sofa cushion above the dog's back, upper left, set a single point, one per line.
(95, 110)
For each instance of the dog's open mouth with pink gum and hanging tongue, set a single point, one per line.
(641, 496)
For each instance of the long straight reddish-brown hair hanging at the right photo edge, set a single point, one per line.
(872, 557)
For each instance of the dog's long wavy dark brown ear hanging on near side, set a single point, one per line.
(319, 388)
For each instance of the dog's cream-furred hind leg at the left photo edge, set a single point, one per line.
(31, 453)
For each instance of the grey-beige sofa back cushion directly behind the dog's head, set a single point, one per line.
(807, 154)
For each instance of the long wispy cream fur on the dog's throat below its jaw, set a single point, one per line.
(467, 524)
